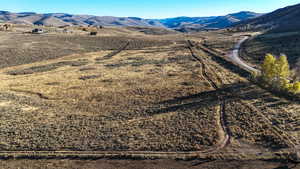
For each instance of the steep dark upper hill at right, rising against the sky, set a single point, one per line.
(281, 20)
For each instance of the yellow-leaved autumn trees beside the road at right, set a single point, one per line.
(277, 75)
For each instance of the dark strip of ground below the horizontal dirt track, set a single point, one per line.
(144, 164)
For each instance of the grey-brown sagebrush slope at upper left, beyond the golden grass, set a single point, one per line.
(18, 49)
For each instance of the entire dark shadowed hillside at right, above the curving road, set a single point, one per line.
(281, 36)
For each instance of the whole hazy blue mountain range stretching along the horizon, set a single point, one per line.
(178, 23)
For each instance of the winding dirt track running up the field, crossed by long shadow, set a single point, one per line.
(222, 106)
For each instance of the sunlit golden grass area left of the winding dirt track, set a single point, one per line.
(117, 107)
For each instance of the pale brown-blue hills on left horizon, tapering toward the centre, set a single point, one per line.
(60, 19)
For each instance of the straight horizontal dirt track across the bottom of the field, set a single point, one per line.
(138, 155)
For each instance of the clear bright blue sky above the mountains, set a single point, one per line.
(145, 8)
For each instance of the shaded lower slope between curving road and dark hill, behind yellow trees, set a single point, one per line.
(255, 49)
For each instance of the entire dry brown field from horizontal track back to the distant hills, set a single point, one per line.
(154, 93)
